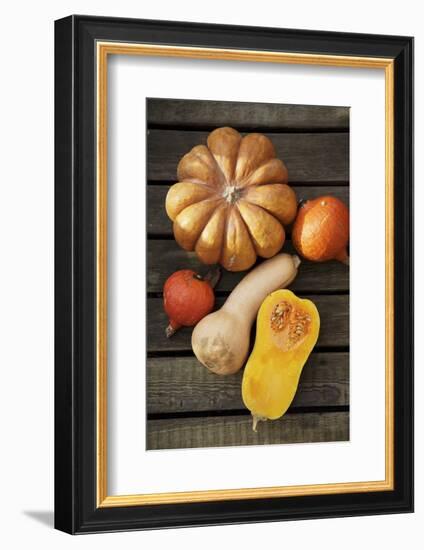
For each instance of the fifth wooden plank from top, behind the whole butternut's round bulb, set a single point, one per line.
(333, 310)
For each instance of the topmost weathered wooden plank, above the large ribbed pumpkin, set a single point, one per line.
(240, 115)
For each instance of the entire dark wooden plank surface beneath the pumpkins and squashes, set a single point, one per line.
(187, 406)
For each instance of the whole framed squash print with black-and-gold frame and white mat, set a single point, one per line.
(234, 274)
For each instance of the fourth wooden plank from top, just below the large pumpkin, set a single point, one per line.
(165, 256)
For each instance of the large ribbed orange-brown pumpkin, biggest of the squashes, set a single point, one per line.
(232, 200)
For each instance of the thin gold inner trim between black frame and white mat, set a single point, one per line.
(119, 48)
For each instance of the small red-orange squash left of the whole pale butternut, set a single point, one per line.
(187, 298)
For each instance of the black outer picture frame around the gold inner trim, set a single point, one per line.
(76, 510)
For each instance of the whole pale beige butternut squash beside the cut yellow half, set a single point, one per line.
(220, 340)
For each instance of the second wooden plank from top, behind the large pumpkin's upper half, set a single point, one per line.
(318, 157)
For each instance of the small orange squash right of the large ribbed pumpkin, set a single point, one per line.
(321, 230)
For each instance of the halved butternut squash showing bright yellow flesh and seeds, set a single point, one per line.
(286, 332)
